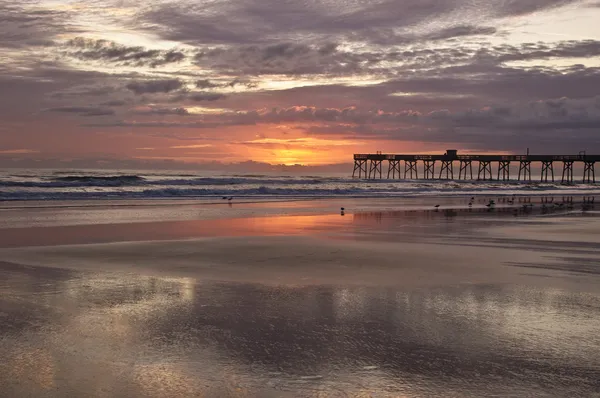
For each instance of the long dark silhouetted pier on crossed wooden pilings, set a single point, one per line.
(371, 166)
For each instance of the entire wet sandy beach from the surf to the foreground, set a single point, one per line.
(387, 300)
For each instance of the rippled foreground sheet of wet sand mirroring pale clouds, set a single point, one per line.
(105, 334)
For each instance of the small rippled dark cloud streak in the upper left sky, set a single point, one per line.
(108, 51)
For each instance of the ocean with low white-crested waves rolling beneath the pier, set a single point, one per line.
(39, 185)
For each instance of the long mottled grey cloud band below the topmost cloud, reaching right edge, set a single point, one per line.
(329, 60)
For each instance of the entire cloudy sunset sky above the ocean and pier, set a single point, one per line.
(310, 82)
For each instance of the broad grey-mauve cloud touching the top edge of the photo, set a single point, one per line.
(269, 21)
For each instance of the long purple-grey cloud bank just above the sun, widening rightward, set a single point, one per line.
(503, 126)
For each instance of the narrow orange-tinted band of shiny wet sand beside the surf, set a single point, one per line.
(439, 221)
